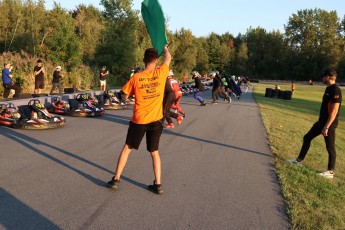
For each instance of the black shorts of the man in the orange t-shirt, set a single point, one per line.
(136, 133)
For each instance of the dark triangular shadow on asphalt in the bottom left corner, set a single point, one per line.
(14, 214)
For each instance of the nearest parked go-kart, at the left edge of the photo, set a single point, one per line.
(31, 116)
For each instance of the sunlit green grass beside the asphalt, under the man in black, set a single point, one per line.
(313, 202)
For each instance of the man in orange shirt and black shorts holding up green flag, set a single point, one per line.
(148, 89)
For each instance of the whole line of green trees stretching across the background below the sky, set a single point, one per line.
(87, 38)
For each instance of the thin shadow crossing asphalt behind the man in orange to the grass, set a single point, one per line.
(125, 120)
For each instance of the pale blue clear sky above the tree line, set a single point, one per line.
(203, 17)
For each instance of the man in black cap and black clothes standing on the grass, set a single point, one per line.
(327, 123)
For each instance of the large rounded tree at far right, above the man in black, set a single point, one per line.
(313, 36)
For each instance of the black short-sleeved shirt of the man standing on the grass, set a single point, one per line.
(332, 95)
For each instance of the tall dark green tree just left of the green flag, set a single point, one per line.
(118, 46)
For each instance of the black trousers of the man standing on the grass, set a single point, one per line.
(315, 131)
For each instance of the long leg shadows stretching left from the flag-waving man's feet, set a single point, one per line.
(23, 139)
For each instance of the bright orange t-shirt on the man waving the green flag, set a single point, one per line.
(148, 88)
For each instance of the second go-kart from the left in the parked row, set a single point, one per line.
(82, 106)
